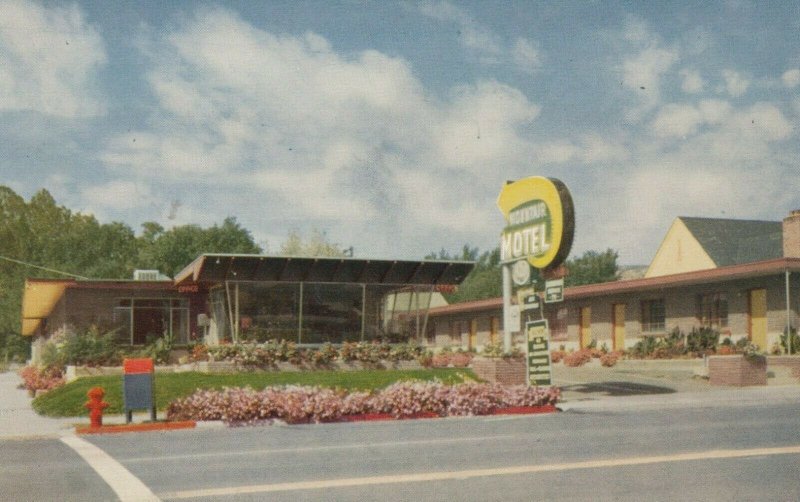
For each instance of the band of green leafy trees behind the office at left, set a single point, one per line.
(40, 237)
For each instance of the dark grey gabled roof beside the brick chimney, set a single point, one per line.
(734, 242)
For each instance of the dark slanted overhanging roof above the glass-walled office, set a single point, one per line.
(216, 268)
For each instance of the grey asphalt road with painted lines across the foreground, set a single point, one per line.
(660, 450)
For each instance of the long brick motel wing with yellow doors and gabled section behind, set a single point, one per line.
(737, 276)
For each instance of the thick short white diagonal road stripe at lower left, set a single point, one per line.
(127, 486)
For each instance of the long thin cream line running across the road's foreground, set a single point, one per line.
(474, 473)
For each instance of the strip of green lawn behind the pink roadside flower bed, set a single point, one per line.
(68, 401)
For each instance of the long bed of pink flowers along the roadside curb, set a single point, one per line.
(296, 404)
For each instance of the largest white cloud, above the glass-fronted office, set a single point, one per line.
(338, 140)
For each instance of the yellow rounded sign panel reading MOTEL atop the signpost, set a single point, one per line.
(540, 221)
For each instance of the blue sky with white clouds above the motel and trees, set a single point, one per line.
(392, 126)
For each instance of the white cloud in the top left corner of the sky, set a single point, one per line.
(48, 57)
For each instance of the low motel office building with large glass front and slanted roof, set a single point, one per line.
(230, 298)
